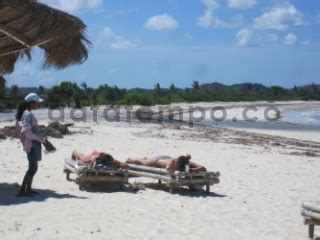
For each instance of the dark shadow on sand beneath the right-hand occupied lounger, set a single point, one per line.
(184, 191)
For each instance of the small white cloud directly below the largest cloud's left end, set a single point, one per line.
(249, 38)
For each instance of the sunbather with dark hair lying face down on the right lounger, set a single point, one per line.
(169, 163)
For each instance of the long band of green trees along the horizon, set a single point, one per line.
(68, 94)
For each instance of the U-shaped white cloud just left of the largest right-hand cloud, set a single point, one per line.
(208, 19)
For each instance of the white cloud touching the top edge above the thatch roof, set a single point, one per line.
(73, 5)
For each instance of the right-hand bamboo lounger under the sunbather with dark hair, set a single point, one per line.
(177, 179)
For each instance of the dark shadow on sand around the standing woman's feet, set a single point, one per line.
(8, 192)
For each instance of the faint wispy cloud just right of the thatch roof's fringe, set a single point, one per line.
(116, 41)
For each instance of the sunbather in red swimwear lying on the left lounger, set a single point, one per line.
(98, 156)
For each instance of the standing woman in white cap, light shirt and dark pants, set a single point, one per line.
(31, 139)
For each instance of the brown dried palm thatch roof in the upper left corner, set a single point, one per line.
(27, 23)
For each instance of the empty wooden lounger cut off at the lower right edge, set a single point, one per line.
(311, 213)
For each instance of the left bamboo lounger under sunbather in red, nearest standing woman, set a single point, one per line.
(87, 176)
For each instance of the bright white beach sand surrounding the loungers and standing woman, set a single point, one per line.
(264, 180)
